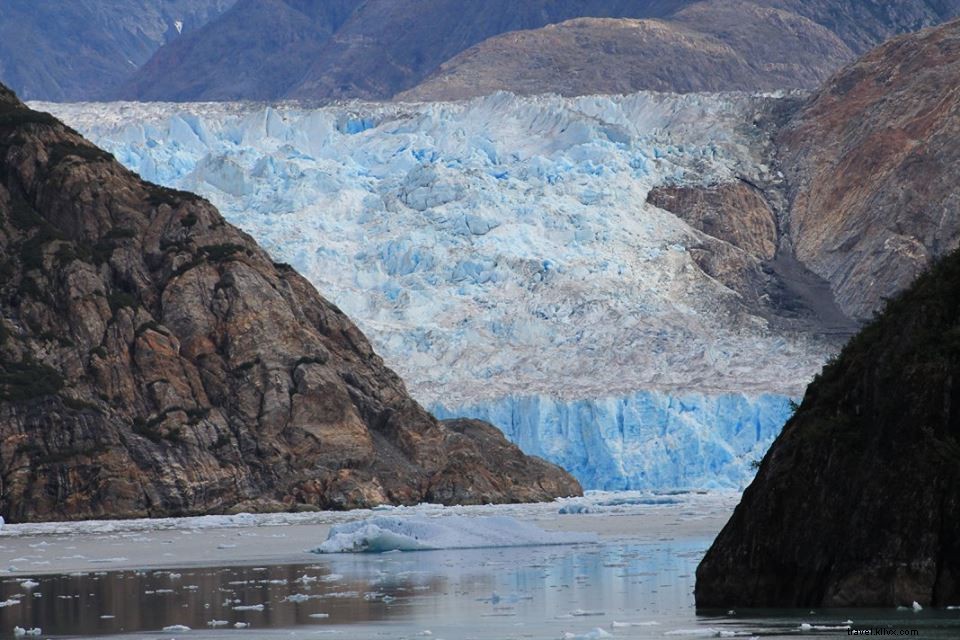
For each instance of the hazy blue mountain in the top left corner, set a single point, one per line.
(84, 49)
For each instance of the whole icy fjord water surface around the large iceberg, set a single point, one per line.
(637, 582)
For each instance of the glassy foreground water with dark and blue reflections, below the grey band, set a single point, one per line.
(626, 590)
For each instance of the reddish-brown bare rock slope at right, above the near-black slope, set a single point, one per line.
(871, 162)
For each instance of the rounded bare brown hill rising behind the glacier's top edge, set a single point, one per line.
(716, 46)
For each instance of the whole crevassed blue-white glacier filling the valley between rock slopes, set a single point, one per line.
(502, 258)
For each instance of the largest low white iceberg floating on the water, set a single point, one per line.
(417, 533)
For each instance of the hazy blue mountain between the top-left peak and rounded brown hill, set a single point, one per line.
(318, 49)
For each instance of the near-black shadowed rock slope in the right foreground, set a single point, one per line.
(856, 503)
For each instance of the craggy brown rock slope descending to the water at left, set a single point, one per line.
(154, 361)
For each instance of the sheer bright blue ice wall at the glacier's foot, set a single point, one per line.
(647, 440)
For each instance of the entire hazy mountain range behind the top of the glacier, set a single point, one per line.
(433, 49)
